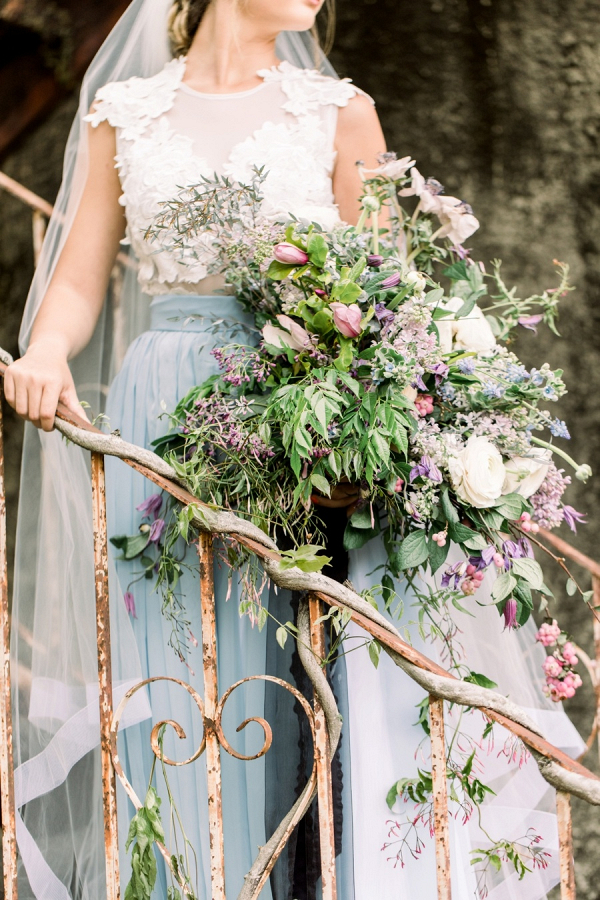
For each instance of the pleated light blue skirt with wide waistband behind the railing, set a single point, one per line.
(159, 369)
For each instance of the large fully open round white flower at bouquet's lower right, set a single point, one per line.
(478, 473)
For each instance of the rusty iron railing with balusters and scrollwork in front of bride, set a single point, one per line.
(211, 708)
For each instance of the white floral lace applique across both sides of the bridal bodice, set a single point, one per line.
(155, 161)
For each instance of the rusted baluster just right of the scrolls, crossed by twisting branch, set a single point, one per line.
(322, 751)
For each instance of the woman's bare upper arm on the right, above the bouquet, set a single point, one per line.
(358, 137)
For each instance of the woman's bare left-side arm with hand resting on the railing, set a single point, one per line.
(67, 317)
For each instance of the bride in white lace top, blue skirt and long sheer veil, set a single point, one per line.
(178, 92)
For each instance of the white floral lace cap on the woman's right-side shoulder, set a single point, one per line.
(307, 89)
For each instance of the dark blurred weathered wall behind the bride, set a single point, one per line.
(499, 99)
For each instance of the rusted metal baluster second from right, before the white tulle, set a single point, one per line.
(440, 798)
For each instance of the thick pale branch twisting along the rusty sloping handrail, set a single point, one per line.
(557, 768)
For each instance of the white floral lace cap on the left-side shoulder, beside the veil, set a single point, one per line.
(131, 104)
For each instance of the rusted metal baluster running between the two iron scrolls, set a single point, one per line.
(213, 757)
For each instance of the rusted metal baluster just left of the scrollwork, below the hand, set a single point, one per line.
(109, 792)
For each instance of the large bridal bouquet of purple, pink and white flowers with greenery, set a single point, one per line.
(381, 358)
